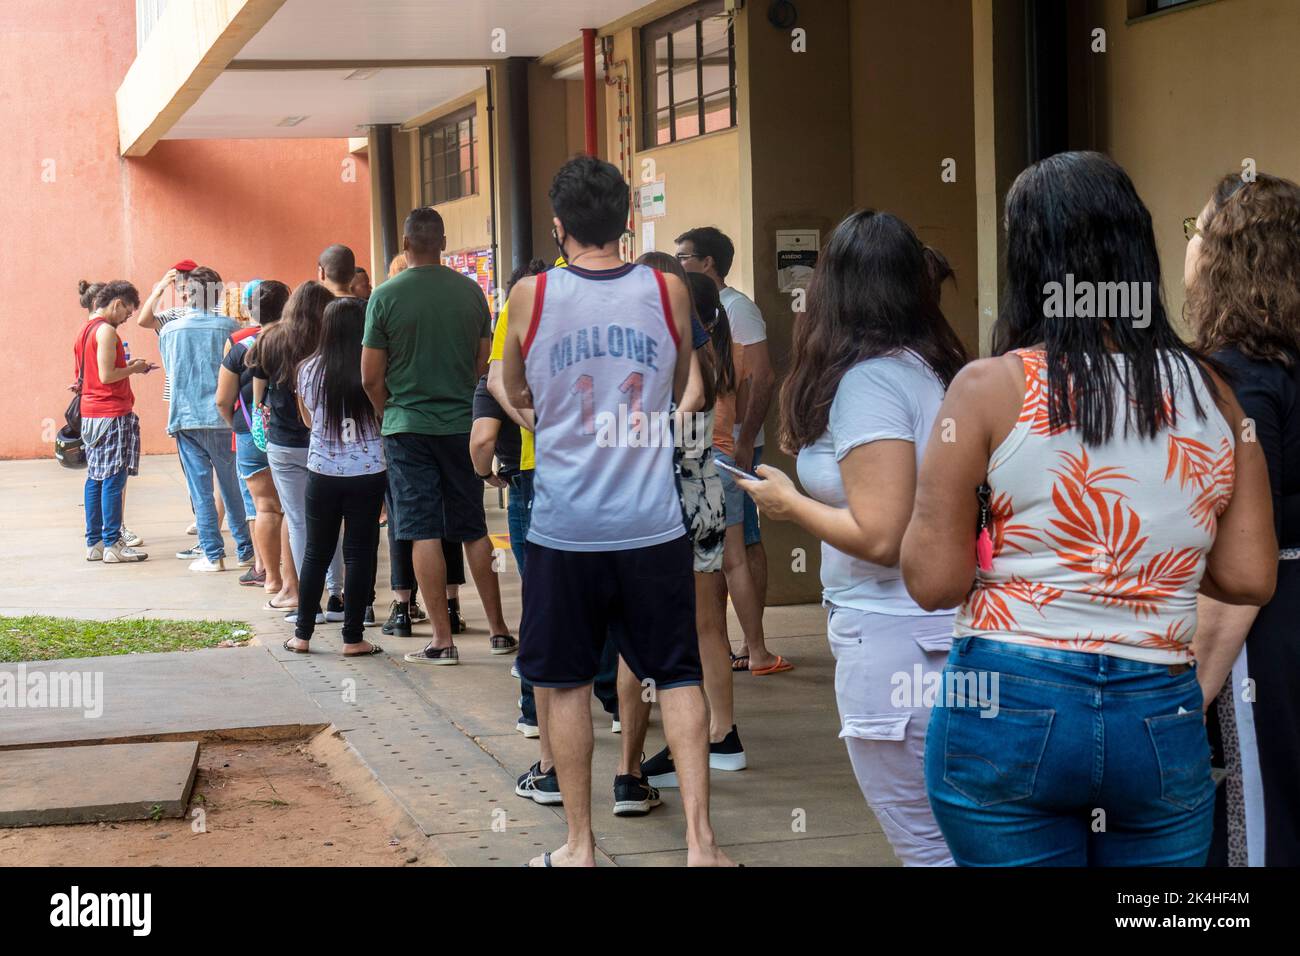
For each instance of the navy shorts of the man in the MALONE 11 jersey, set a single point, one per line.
(645, 599)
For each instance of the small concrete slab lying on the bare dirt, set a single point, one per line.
(86, 785)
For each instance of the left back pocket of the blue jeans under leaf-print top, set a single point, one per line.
(995, 760)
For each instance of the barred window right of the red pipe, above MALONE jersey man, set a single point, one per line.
(688, 64)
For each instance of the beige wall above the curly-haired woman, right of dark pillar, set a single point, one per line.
(1184, 98)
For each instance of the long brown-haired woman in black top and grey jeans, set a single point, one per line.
(275, 361)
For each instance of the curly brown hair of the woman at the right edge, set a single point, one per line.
(1247, 289)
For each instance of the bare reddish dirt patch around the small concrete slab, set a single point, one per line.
(263, 804)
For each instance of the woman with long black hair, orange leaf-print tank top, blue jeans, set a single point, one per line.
(1082, 488)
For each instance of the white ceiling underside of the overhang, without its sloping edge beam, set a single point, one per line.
(263, 96)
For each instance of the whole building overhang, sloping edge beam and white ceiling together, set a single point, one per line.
(253, 70)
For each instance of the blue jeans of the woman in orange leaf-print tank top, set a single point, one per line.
(1068, 759)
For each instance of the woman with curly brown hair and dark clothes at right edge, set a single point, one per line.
(1243, 305)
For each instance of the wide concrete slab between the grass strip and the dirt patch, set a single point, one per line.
(187, 694)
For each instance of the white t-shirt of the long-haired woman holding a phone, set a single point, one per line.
(887, 397)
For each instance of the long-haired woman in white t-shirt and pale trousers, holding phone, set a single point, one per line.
(873, 357)
